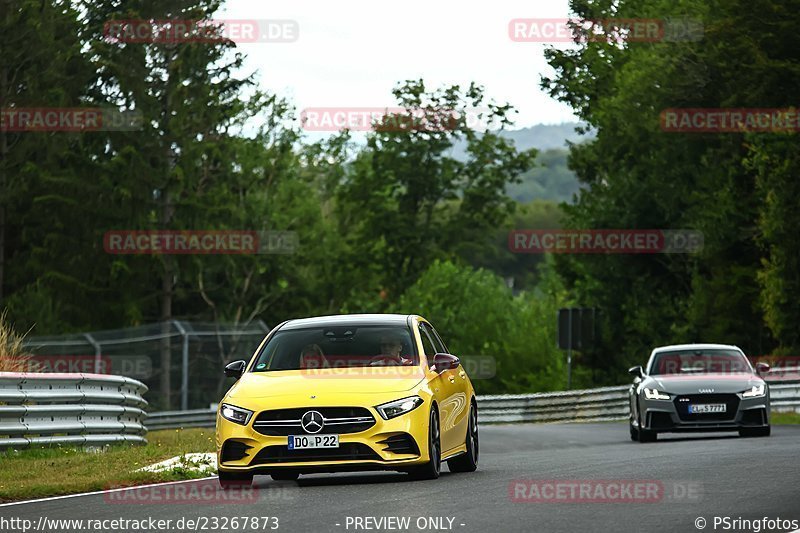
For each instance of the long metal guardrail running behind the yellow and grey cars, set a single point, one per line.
(606, 403)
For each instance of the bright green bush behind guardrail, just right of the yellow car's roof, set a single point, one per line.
(478, 315)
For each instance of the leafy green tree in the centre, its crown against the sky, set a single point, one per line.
(406, 202)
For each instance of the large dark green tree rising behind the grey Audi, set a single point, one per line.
(636, 175)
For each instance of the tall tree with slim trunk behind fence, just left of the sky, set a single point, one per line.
(173, 173)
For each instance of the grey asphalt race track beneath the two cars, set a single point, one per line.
(698, 476)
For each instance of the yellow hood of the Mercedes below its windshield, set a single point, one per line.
(326, 380)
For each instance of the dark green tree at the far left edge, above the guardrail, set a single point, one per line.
(41, 66)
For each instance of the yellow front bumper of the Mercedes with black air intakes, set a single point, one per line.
(244, 449)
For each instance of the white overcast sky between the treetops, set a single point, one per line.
(351, 53)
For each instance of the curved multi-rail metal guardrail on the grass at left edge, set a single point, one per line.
(70, 409)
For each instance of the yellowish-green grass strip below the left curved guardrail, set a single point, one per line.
(38, 473)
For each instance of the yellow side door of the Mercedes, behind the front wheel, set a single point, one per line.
(453, 399)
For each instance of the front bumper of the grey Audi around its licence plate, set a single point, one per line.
(664, 416)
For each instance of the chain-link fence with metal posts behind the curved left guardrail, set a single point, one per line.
(181, 362)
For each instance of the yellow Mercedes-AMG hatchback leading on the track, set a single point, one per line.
(347, 393)
